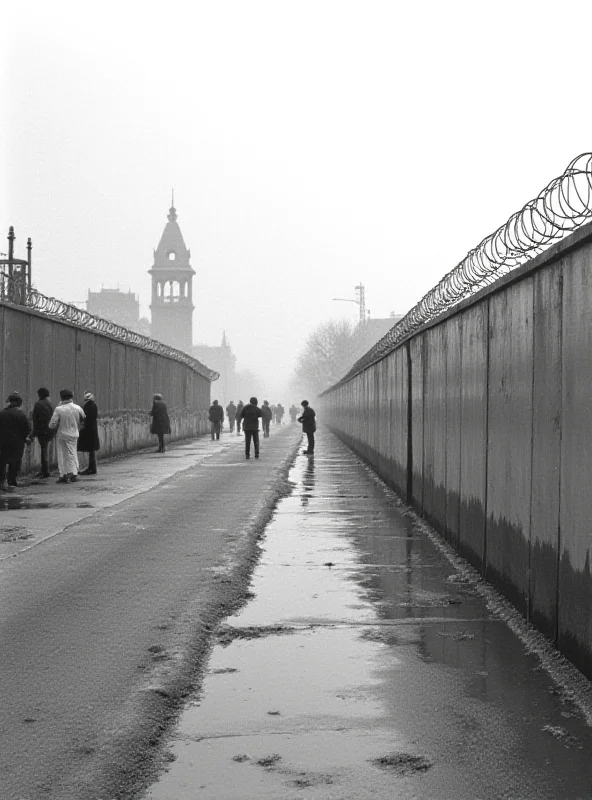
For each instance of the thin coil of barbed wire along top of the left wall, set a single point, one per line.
(15, 290)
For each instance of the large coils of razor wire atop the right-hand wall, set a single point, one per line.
(560, 208)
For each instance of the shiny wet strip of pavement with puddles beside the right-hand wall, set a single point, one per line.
(367, 666)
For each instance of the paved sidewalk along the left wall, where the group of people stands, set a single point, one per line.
(22, 526)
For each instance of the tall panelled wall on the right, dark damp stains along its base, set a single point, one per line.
(482, 420)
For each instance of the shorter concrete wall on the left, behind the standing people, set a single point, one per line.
(39, 351)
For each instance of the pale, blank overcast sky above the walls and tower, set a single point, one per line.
(311, 146)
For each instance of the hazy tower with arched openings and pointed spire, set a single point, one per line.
(172, 293)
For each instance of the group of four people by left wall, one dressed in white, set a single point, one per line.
(74, 429)
